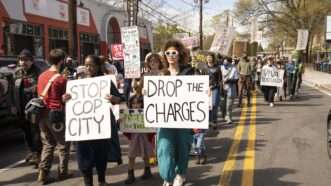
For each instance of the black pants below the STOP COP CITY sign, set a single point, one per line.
(90, 154)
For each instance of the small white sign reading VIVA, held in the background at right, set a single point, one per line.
(272, 77)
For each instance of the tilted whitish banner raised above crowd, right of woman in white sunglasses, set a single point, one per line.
(223, 40)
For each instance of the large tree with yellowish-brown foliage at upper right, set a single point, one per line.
(283, 18)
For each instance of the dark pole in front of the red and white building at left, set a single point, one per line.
(73, 28)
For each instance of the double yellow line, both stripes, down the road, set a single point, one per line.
(249, 161)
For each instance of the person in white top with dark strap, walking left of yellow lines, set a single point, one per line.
(230, 78)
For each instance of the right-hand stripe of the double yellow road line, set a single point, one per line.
(249, 162)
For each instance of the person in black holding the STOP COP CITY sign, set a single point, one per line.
(92, 153)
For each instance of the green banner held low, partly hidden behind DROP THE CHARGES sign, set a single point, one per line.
(132, 121)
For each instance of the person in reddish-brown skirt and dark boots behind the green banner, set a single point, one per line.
(140, 144)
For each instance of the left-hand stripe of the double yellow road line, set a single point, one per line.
(230, 162)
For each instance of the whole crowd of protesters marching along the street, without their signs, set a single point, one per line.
(229, 79)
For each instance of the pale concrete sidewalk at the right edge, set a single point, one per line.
(318, 79)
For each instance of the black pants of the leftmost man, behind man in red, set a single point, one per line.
(31, 135)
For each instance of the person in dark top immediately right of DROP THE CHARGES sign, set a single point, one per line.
(215, 80)
